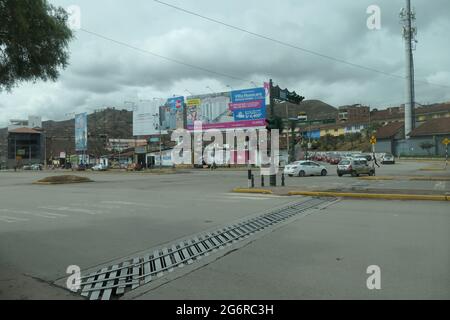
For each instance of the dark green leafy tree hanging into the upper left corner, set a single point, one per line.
(34, 39)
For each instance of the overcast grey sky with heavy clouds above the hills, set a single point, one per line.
(103, 73)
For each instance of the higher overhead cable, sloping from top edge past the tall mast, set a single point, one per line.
(292, 46)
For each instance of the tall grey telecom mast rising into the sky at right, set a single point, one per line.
(408, 18)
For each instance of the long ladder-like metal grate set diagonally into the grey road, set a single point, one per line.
(114, 281)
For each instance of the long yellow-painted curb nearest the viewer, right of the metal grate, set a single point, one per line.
(372, 196)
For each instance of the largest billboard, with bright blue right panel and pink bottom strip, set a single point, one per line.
(228, 110)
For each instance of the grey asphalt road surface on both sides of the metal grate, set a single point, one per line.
(44, 229)
